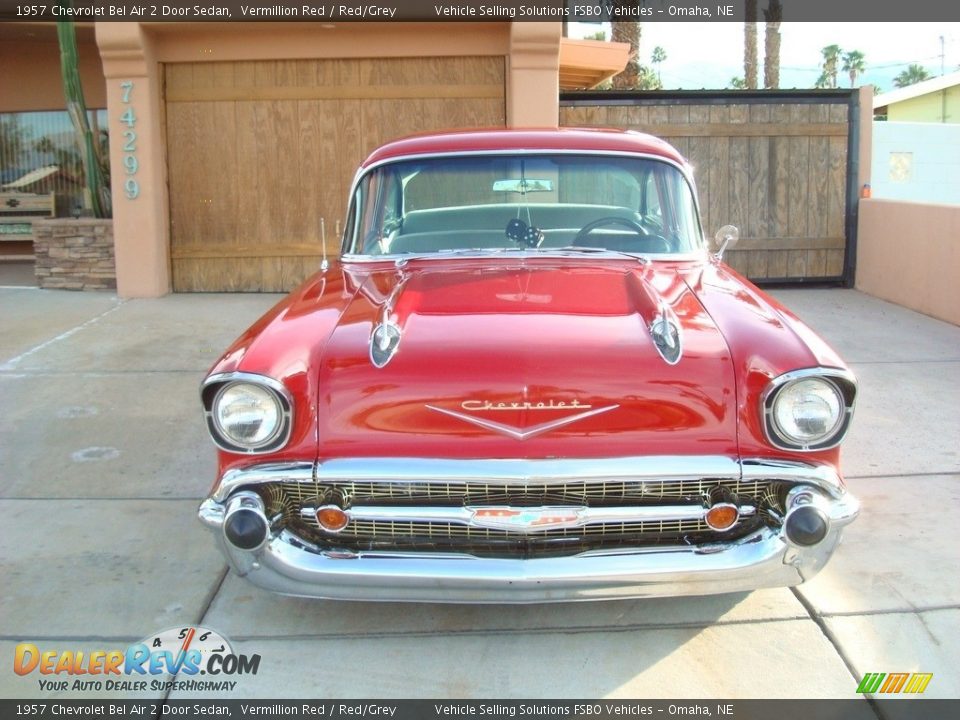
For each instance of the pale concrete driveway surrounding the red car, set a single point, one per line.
(104, 457)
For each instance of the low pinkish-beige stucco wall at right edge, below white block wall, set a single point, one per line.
(909, 253)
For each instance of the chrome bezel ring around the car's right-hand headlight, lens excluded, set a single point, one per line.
(842, 382)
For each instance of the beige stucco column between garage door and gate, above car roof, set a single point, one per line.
(533, 74)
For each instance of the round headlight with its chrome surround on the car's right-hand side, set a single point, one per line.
(809, 410)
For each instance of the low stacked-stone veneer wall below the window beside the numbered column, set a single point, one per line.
(74, 254)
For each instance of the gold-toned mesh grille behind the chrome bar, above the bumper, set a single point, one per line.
(284, 501)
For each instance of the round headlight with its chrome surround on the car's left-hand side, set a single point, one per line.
(247, 415)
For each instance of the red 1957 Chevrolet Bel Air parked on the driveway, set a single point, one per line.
(527, 379)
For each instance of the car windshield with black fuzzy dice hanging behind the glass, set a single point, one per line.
(536, 202)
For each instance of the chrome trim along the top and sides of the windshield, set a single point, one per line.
(684, 169)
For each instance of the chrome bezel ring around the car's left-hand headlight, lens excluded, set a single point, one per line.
(212, 392)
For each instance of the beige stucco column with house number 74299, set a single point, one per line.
(140, 223)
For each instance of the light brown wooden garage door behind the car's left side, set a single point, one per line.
(259, 152)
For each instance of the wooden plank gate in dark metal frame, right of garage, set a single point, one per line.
(781, 166)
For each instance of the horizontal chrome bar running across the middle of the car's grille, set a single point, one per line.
(581, 516)
